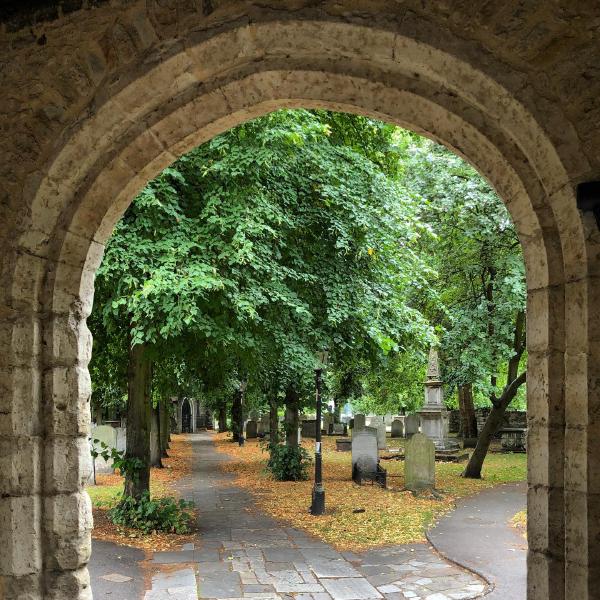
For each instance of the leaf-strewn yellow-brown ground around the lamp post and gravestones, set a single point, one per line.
(391, 516)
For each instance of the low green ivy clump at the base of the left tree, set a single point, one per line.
(148, 515)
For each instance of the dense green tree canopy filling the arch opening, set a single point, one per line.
(304, 229)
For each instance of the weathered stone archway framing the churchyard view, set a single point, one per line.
(167, 87)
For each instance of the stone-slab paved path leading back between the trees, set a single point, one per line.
(242, 553)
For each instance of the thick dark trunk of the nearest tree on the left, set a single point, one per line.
(138, 420)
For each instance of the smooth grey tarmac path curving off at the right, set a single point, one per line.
(478, 535)
